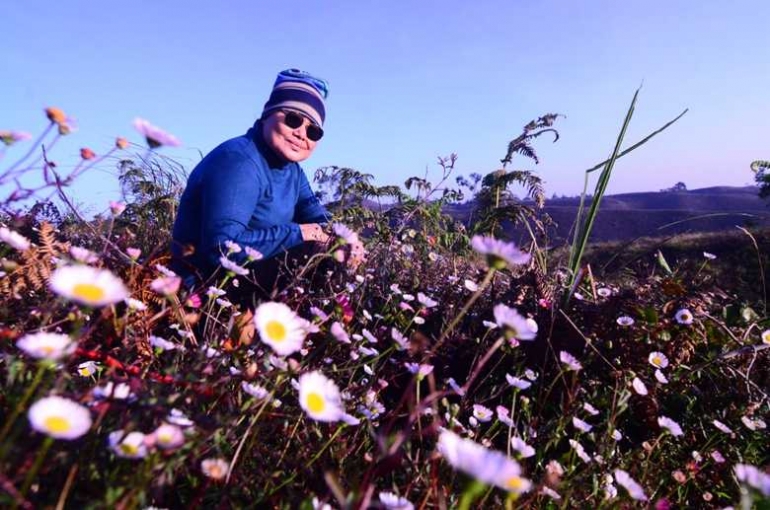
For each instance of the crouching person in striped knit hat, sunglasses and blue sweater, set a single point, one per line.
(251, 191)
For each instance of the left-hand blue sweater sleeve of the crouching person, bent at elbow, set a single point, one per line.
(230, 188)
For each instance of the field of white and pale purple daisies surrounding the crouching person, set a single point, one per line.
(453, 369)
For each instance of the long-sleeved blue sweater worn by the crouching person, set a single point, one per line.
(241, 191)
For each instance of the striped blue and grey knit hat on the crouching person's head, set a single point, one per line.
(299, 91)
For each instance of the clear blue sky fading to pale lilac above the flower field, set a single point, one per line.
(409, 81)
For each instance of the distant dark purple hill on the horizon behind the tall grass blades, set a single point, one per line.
(630, 215)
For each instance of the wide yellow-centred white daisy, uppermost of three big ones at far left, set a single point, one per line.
(88, 285)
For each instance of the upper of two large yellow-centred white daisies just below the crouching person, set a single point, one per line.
(279, 327)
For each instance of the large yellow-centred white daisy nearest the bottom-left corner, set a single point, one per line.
(59, 418)
